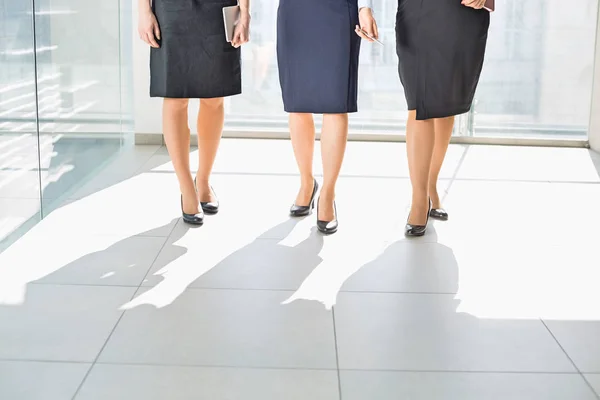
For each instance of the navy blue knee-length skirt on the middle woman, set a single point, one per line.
(317, 54)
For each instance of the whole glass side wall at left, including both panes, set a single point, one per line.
(64, 102)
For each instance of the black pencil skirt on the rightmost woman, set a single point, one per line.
(441, 47)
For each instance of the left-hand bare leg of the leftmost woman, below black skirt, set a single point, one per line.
(177, 139)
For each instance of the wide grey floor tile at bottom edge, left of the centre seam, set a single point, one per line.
(127, 382)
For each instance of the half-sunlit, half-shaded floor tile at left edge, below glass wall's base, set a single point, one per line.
(76, 258)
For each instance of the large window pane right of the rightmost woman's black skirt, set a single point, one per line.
(537, 79)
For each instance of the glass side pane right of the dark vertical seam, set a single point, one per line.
(80, 86)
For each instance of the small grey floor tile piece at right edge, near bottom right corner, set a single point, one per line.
(580, 339)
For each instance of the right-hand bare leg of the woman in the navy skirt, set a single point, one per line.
(333, 147)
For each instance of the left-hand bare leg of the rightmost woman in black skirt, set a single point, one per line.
(420, 139)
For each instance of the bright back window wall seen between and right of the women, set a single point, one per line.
(536, 82)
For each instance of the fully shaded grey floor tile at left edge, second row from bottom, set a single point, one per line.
(60, 322)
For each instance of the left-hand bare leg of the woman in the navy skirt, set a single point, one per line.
(302, 131)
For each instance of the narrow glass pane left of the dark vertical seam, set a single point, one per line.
(19, 162)
